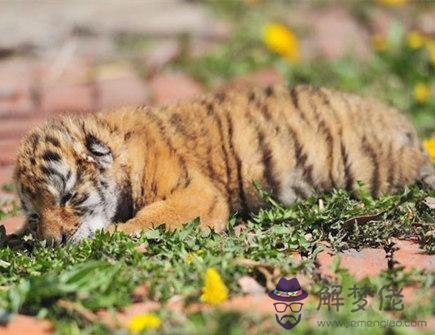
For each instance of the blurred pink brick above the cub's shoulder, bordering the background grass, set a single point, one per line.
(170, 88)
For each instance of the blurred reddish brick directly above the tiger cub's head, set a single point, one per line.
(68, 98)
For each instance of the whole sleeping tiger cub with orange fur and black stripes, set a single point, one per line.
(169, 165)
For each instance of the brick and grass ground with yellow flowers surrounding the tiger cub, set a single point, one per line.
(82, 57)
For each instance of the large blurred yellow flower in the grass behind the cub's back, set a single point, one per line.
(282, 41)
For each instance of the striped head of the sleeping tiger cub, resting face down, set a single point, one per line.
(69, 176)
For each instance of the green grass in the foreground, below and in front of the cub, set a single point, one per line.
(101, 273)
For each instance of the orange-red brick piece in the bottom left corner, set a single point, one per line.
(23, 324)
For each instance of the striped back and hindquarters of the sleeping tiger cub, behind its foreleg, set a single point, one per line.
(295, 141)
